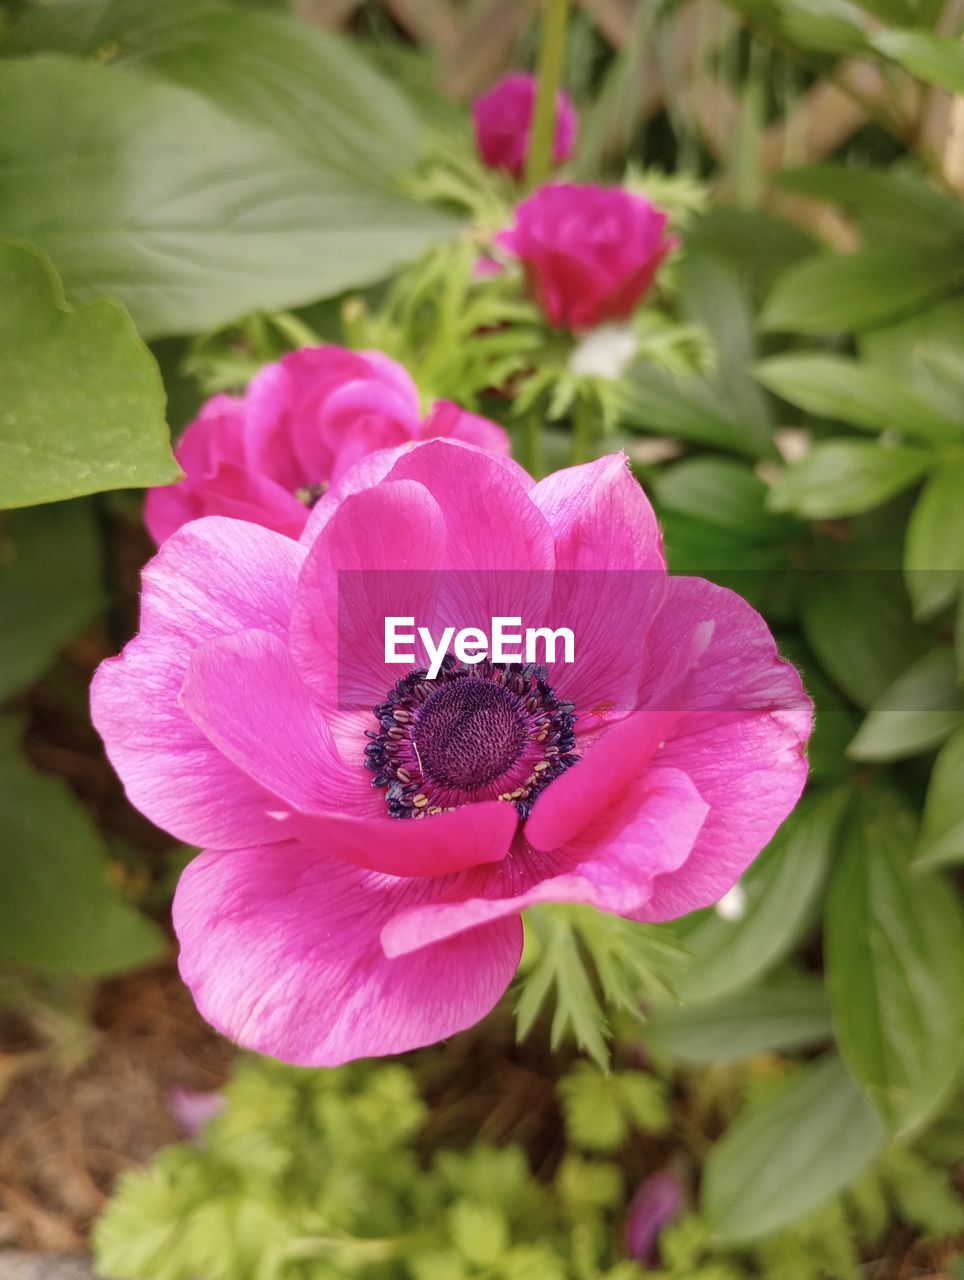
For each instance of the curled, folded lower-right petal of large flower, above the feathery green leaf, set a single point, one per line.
(651, 833)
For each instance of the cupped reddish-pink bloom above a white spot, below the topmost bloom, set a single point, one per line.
(590, 253)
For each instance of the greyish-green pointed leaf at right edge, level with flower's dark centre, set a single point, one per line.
(917, 712)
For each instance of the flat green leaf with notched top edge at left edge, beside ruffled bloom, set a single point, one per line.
(83, 408)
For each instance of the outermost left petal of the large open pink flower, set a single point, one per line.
(212, 578)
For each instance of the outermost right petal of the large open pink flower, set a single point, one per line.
(741, 735)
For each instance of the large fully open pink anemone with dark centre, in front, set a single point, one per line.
(254, 716)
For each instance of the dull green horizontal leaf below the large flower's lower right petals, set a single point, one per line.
(779, 1017)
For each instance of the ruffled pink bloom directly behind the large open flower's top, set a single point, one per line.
(305, 420)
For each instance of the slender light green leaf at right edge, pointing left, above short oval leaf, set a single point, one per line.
(840, 388)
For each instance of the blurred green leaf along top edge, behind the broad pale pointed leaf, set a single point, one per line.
(310, 88)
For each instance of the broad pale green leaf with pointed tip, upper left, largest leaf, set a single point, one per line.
(147, 191)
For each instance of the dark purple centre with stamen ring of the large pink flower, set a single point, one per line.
(492, 732)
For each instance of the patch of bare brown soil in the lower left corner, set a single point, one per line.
(67, 1133)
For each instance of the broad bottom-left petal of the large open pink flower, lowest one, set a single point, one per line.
(281, 950)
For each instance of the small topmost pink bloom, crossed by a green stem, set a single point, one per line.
(504, 124)
